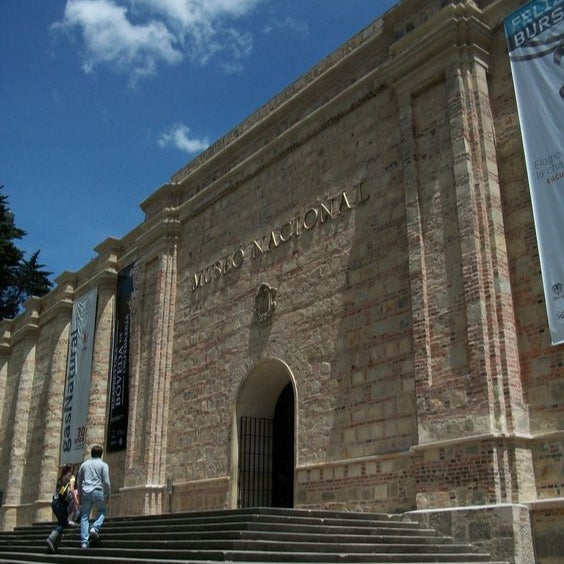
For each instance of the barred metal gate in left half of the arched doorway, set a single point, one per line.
(255, 462)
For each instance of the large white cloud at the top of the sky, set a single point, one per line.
(135, 36)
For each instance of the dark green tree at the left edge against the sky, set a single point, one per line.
(19, 278)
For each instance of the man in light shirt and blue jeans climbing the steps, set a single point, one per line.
(94, 489)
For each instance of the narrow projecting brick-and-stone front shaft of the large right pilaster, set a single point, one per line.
(491, 331)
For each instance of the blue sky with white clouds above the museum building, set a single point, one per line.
(102, 101)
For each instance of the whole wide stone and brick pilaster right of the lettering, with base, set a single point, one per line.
(470, 407)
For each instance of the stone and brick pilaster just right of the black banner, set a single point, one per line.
(151, 354)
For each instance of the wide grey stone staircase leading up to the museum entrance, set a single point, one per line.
(265, 535)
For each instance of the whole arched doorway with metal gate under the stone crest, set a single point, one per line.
(264, 441)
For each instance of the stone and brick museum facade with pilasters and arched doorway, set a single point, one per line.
(351, 275)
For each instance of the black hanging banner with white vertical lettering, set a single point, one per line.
(119, 378)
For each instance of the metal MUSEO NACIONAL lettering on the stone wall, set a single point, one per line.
(332, 208)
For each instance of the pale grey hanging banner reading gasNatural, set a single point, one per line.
(77, 386)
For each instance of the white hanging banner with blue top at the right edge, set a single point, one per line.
(535, 35)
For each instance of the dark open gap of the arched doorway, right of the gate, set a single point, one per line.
(283, 450)
